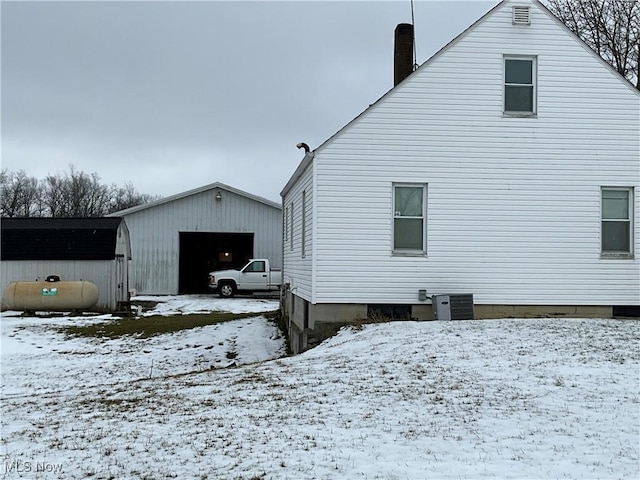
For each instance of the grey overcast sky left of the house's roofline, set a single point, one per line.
(175, 95)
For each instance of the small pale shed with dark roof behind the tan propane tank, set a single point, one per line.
(72, 249)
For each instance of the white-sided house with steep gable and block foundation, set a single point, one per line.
(507, 166)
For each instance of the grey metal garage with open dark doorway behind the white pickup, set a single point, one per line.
(176, 241)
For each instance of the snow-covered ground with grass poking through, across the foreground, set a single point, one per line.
(544, 398)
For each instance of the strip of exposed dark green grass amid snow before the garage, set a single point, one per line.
(145, 327)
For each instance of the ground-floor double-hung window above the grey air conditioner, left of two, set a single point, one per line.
(409, 218)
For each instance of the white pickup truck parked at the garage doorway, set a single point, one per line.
(255, 276)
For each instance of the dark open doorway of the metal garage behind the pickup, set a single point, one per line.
(200, 253)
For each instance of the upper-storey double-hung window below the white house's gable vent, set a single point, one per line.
(519, 85)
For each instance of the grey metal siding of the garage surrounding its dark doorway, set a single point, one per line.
(154, 233)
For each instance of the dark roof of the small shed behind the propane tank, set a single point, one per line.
(59, 238)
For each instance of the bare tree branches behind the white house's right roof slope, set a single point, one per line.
(610, 27)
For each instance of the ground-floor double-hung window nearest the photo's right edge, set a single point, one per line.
(617, 222)
